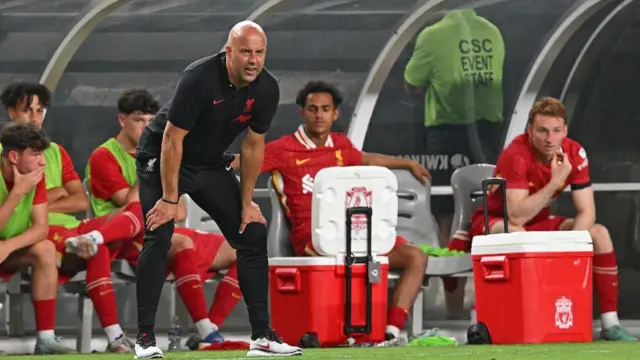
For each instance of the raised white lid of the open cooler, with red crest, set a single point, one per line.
(337, 188)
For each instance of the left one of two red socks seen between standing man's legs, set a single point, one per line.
(189, 284)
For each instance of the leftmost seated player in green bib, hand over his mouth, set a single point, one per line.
(24, 225)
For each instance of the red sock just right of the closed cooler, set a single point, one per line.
(605, 278)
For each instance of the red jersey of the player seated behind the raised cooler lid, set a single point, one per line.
(294, 161)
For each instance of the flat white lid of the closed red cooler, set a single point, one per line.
(532, 241)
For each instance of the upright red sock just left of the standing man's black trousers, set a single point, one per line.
(100, 287)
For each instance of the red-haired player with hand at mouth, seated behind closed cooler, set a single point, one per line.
(537, 166)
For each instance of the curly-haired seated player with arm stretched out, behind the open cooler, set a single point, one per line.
(295, 160)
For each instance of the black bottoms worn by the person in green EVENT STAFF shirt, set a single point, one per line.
(453, 146)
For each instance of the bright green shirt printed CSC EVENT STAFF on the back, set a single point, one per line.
(460, 60)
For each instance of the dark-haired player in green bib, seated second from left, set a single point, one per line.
(25, 103)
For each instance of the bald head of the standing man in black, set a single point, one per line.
(246, 50)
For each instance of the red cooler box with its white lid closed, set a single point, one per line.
(534, 287)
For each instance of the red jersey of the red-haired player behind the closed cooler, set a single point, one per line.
(519, 167)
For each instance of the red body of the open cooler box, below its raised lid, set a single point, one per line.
(308, 295)
